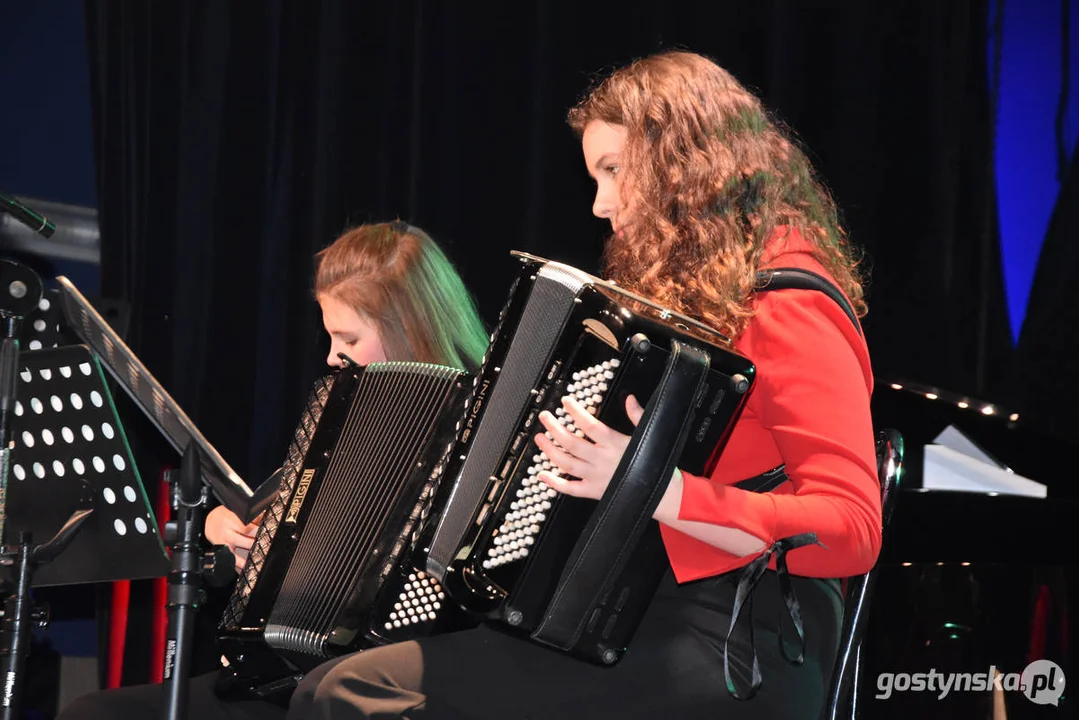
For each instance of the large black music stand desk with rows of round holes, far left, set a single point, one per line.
(70, 453)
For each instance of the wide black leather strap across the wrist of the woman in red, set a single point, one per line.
(622, 515)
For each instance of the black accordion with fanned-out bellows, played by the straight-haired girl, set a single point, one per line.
(332, 569)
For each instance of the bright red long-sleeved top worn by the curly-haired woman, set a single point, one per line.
(810, 411)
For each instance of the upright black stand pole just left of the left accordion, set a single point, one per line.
(189, 499)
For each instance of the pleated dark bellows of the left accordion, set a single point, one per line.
(365, 490)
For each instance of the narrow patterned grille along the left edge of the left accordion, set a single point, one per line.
(297, 451)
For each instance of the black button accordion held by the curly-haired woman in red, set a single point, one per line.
(572, 574)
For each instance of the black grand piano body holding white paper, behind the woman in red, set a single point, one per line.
(986, 521)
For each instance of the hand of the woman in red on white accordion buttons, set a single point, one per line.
(592, 455)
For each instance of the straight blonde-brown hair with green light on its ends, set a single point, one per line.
(395, 276)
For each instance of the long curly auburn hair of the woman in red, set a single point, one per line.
(711, 180)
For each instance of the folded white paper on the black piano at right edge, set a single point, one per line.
(953, 463)
